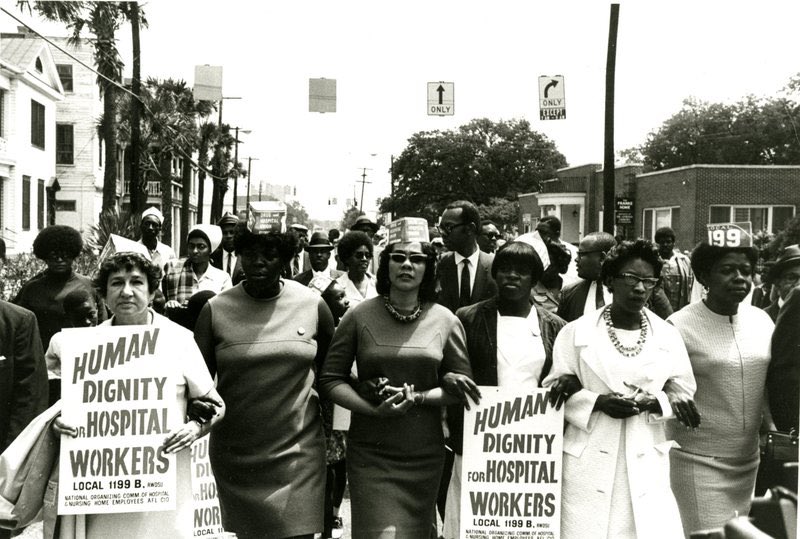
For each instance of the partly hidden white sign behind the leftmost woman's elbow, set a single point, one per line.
(207, 518)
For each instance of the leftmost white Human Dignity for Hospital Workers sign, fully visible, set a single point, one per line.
(118, 389)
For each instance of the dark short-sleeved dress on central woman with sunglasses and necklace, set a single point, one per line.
(394, 464)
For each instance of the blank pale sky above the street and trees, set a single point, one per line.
(383, 53)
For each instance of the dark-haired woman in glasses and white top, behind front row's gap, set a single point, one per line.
(355, 252)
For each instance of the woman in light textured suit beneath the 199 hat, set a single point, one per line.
(714, 470)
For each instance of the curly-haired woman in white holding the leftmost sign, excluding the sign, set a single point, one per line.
(128, 282)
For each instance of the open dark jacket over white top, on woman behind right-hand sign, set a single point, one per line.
(480, 324)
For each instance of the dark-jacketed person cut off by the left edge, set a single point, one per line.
(23, 373)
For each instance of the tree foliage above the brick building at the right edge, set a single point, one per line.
(751, 131)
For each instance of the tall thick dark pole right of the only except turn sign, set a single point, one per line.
(608, 158)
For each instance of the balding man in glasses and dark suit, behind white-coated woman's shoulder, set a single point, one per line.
(592, 250)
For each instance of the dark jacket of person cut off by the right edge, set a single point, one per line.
(783, 375)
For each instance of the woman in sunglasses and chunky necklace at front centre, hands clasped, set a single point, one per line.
(395, 446)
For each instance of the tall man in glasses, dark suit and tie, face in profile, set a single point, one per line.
(460, 225)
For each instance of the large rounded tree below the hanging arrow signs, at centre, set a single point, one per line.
(482, 161)
